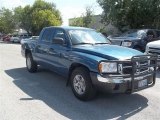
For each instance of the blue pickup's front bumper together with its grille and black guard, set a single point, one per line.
(129, 82)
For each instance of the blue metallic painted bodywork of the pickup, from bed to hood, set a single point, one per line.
(65, 56)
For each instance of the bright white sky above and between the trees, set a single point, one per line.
(68, 8)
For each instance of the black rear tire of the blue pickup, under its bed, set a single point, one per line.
(33, 65)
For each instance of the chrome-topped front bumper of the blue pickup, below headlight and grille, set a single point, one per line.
(111, 84)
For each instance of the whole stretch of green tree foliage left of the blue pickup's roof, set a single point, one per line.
(31, 18)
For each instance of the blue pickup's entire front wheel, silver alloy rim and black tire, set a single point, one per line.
(81, 84)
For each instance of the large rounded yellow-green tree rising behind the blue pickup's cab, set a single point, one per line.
(40, 14)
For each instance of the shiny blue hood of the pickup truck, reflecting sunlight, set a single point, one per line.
(110, 52)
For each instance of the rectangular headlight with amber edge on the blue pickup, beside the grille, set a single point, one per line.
(107, 67)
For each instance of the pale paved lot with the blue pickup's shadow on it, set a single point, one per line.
(44, 96)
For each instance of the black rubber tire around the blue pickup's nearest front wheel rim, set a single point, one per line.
(89, 92)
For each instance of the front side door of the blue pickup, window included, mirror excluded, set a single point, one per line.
(59, 54)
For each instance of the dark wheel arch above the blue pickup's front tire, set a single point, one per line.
(73, 67)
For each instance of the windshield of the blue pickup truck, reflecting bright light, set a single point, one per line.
(80, 37)
